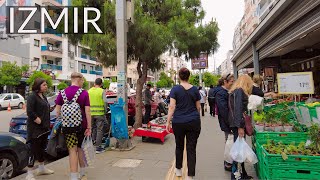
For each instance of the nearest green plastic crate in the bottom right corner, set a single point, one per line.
(271, 166)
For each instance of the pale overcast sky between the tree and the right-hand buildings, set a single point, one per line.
(228, 14)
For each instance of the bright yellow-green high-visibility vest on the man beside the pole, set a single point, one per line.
(96, 101)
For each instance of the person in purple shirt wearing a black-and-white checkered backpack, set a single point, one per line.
(74, 135)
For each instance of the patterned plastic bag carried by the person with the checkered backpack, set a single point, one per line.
(89, 151)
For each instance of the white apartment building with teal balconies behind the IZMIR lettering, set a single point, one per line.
(52, 52)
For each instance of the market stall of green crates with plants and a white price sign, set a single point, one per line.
(286, 138)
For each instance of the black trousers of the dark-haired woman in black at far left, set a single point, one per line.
(37, 146)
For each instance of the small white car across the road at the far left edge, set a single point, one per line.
(15, 100)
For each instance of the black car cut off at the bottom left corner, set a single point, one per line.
(14, 154)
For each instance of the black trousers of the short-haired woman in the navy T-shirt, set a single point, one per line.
(192, 131)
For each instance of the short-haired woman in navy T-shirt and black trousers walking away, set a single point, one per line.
(184, 110)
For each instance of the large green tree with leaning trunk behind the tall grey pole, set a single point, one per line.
(160, 26)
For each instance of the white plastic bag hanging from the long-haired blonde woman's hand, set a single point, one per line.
(242, 152)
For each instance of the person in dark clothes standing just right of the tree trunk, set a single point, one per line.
(147, 107)
